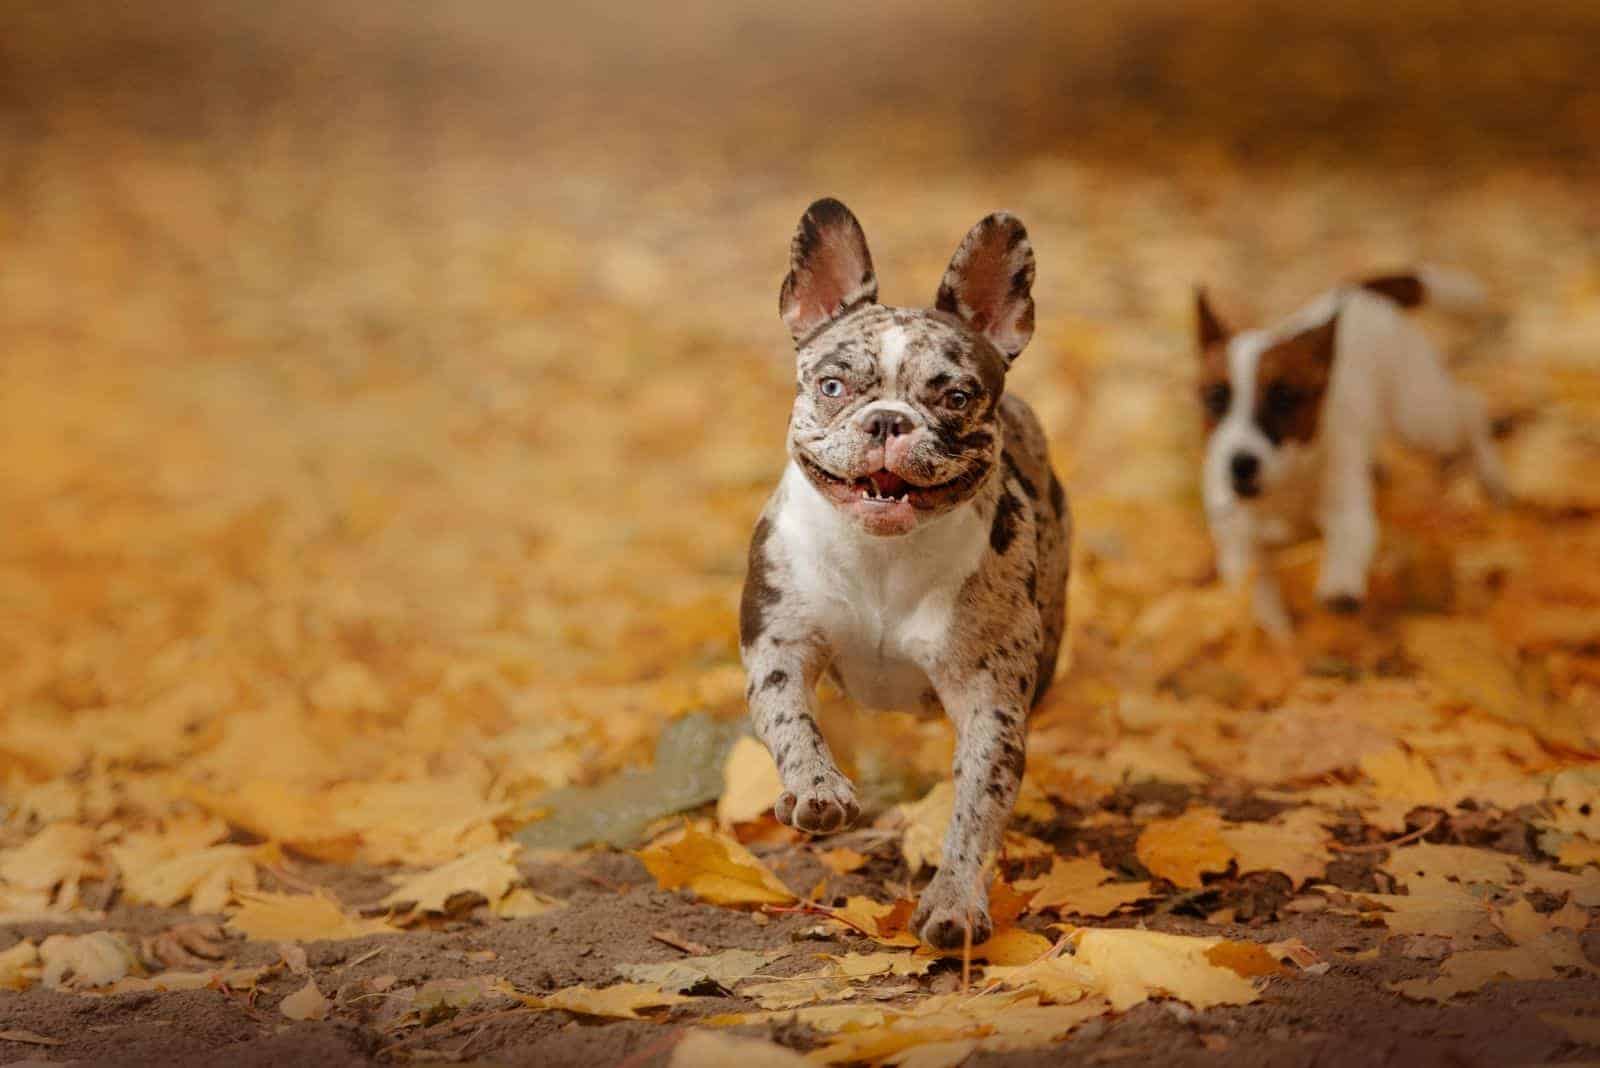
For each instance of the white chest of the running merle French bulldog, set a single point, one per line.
(884, 604)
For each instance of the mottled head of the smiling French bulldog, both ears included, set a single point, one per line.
(897, 410)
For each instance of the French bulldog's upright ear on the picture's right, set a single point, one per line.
(991, 284)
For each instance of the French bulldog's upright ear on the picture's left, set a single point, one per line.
(830, 269)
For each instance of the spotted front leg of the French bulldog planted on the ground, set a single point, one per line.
(990, 759)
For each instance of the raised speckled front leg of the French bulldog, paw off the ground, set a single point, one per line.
(783, 711)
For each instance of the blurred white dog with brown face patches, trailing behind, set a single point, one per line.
(1295, 416)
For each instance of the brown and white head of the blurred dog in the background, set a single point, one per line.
(1263, 396)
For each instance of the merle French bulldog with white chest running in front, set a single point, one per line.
(916, 548)
